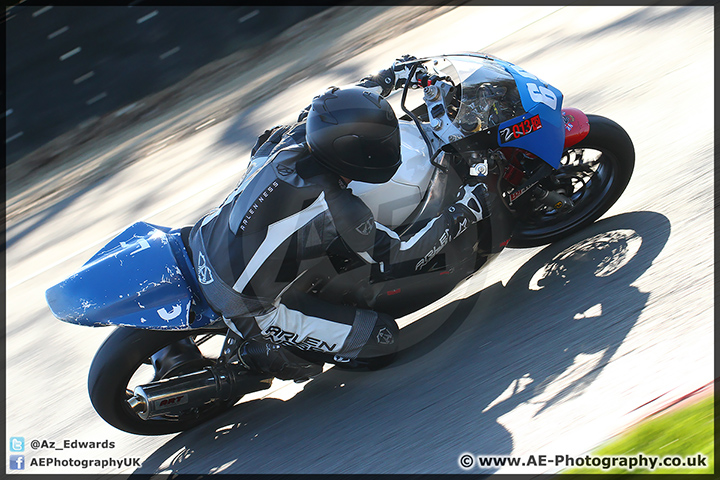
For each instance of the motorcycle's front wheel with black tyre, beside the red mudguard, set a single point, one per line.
(593, 174)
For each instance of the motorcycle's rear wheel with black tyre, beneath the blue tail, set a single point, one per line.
(128, 358)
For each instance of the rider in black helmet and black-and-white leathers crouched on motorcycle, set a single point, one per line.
(297, 210)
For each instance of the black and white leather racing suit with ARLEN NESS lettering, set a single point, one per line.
(280, 223)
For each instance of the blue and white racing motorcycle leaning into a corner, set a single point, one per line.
(549, 171)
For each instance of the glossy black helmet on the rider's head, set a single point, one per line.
(354, 132)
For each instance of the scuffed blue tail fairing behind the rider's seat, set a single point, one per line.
(143, 278)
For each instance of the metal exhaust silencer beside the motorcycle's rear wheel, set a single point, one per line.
(172, 396)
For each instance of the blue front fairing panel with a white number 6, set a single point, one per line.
(544, 100)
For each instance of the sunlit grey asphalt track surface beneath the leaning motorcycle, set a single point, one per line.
(549, 351)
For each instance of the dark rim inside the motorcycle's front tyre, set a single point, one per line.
(585, 175)
